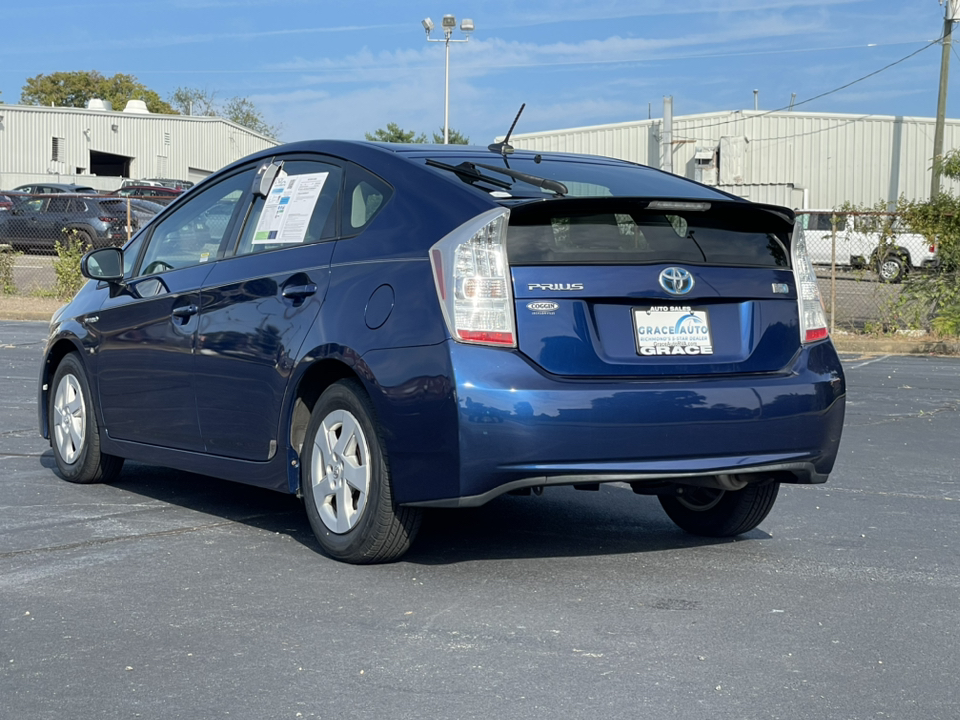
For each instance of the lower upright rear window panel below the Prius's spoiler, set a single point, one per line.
(637, 237)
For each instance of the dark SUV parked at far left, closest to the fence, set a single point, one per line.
(36, 223)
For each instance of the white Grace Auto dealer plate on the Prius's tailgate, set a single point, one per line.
(669, 330)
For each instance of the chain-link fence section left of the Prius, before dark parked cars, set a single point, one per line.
(32, 227)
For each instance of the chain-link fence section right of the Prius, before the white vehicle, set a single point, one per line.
(862, 260)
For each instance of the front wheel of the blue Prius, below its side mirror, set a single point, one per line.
(74, 433)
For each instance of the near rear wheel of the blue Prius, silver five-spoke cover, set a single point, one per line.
(345, 481)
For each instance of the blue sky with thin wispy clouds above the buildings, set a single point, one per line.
(339, 69)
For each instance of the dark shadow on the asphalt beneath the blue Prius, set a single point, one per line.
(563, 522)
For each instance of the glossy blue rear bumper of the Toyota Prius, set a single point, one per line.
(519, 427)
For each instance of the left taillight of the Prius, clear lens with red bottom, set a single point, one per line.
(473, 281)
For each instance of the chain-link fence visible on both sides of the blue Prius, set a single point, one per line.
(861, 258)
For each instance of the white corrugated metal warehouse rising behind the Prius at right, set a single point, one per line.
(801, 160)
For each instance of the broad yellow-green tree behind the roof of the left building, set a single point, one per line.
(75, 89)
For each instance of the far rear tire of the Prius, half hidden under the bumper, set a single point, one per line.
(721, 513)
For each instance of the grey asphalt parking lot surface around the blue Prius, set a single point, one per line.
(171, 595)
